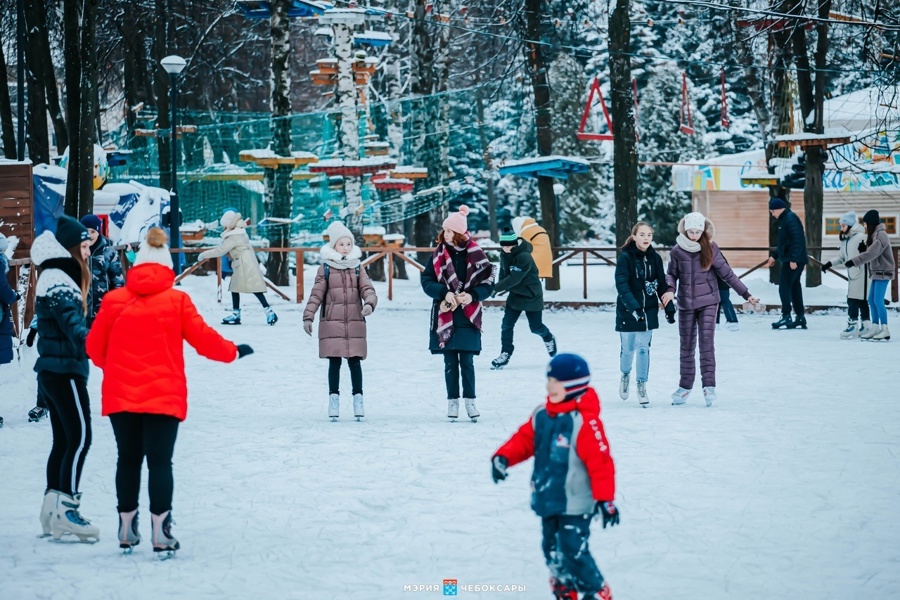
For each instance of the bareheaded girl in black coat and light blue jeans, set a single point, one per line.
(640, 283)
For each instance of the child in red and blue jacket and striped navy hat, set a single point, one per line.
(573, 478)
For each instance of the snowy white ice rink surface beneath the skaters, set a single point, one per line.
(787, 488)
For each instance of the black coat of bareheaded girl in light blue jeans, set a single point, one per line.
(640, 282)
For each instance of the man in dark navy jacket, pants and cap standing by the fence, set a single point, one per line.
(790, 249)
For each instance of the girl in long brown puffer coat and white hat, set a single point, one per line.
(344, 293)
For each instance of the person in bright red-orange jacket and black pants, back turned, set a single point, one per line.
(138, 340)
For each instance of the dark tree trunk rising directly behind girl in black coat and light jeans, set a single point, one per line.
(624, 139)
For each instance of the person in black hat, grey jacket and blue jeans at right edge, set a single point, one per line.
(879, 259)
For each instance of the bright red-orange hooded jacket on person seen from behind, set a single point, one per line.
(138, 340)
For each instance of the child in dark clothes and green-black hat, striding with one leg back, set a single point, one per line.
(519, 277)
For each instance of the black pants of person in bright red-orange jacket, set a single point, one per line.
(139, 435)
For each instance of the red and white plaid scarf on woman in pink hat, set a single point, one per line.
(478, 271)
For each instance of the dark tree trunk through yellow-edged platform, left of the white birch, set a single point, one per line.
(282, 193)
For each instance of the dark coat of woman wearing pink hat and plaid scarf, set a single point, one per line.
(466, 337)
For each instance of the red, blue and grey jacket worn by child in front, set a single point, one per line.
(573, 467)
